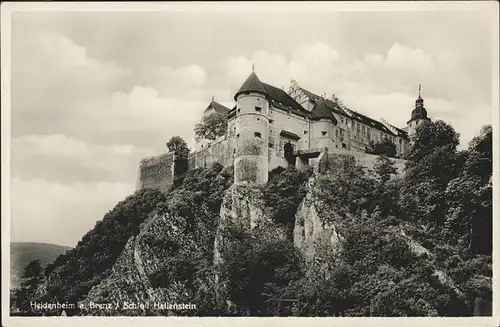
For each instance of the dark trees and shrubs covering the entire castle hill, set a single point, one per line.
(412, 245)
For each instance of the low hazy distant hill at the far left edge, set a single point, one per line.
(22, 253)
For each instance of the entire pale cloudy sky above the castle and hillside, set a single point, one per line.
(92, 93)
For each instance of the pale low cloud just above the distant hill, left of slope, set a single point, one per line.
(44, 211)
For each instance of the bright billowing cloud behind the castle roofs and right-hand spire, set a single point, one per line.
(379, 84)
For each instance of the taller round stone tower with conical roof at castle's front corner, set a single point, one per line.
(252, 126)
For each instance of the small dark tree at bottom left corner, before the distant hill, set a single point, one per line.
(30, 280)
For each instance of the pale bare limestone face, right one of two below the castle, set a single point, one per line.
(312, 230)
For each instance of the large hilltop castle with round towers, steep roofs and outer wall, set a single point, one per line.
(269, 127)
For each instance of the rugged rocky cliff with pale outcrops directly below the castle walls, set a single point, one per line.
(224, 248)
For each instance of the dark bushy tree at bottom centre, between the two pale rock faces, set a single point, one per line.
(260, 269)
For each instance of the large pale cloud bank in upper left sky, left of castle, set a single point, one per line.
(76, 95)
